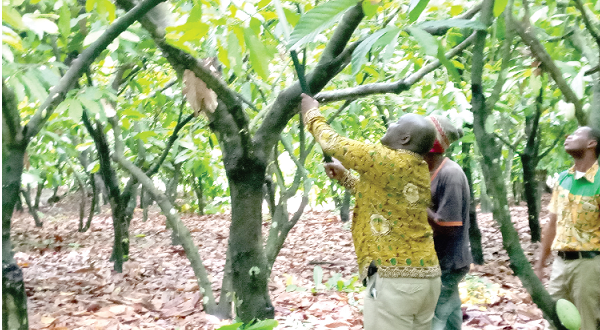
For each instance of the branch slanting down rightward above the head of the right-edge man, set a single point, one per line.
(539, 51)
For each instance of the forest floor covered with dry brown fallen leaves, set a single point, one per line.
(71, 285)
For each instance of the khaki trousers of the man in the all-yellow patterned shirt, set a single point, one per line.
(400, 303)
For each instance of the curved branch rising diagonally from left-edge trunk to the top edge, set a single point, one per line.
(78, 67)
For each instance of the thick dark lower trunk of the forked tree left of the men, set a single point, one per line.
(249, 264)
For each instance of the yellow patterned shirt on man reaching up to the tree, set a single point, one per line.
(392, 195)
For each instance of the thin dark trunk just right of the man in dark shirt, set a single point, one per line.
(474, 232)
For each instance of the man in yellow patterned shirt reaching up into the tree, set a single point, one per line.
(392, 238)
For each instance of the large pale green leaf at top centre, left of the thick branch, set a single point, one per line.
(317, 20)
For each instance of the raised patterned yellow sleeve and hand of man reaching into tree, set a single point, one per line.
(352, 154)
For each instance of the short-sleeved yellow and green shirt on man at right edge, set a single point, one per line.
(576, 202)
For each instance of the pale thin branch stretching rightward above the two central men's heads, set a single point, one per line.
(392, 87)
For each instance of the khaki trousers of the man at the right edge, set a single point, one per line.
(579, 282)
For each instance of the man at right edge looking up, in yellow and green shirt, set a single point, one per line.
(574, 230)
